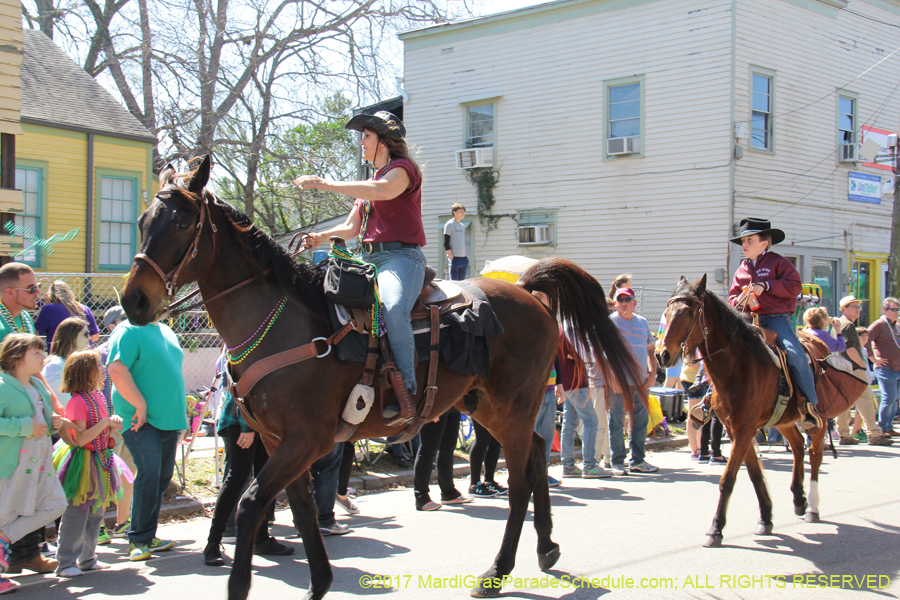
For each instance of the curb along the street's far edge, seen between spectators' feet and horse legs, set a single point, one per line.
(372, 482)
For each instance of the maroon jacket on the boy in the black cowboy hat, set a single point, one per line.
(781, 279)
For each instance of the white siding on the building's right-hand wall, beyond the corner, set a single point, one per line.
(814, 50)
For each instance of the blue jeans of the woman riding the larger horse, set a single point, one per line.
(401, 273)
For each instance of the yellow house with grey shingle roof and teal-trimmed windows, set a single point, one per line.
(82, 161)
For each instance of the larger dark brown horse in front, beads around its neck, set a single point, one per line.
(189, 235)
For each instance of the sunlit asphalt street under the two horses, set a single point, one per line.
(627, 537)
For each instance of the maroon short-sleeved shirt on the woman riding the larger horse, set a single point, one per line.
(400, 219)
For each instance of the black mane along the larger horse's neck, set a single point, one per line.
(302, 281)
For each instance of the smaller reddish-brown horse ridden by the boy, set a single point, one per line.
(745, 380)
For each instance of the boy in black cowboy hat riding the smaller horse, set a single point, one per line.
(768, 285)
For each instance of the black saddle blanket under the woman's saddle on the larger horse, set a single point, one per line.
(465, 341)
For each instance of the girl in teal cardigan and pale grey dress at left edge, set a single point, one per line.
(30, 494)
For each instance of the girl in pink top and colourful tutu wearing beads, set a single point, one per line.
(90, 472)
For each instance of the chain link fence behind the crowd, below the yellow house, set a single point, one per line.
(199, 339)
